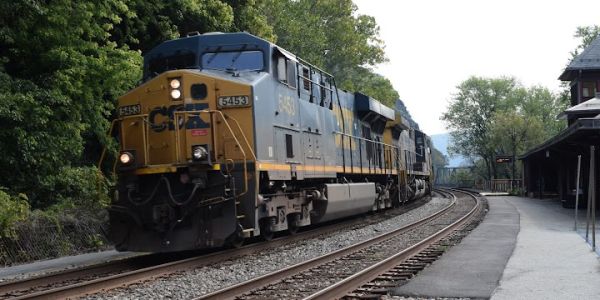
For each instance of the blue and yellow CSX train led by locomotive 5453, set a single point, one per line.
(230, 136)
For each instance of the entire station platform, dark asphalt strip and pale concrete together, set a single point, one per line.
(525, 248)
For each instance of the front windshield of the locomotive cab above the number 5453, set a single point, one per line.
(233, 61)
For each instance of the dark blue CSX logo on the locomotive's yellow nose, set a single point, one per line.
(193, 120)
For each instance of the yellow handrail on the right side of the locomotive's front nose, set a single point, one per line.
(214, 137)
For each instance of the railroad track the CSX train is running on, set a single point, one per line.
(114, 274)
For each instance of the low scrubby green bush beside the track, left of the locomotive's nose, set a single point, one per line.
(72, 225)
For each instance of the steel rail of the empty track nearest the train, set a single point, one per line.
(247, 286)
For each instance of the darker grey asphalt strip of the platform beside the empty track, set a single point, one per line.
(457, 273)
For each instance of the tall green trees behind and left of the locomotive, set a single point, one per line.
(63, 64)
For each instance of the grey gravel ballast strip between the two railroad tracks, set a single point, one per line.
(197, 282)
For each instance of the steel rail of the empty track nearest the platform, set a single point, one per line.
(342, 288)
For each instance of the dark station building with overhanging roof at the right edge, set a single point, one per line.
(550, 169)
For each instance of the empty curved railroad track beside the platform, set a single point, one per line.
(364, 270)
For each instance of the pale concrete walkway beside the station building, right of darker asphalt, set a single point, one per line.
(550, 261)
